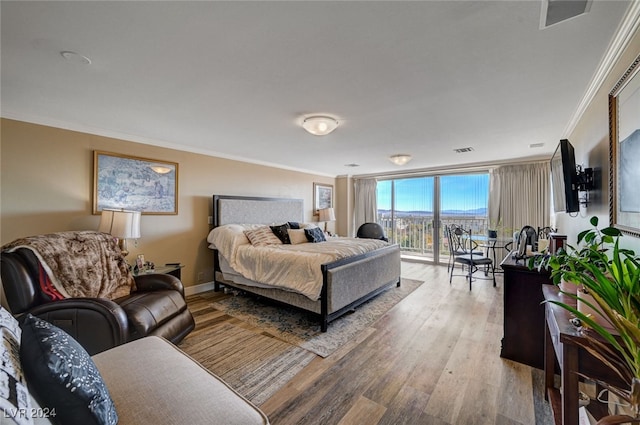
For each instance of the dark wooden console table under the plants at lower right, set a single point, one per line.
(561, 339)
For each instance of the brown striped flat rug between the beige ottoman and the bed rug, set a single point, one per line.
(255, 365)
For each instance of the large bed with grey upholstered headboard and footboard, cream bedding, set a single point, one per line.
(344, 283)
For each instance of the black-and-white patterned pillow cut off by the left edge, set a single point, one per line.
(15, 401)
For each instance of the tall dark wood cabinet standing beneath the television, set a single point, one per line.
(524, 326)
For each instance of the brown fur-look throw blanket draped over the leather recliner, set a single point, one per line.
(80, 263)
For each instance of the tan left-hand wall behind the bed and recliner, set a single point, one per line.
(46, 186)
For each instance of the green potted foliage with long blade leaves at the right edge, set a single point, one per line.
(611, 275)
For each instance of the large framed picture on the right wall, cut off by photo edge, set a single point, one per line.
(624, 152)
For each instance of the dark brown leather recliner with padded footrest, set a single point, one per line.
(156, 307)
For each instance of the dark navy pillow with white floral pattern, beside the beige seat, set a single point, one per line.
(62, 375)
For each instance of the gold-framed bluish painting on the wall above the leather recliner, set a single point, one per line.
(133, 183)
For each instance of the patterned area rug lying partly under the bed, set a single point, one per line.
(302, 329)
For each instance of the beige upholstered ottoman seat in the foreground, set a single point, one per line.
(153, 382)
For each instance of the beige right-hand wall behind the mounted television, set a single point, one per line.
(591, 141)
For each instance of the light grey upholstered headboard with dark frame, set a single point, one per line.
(255, 210)
